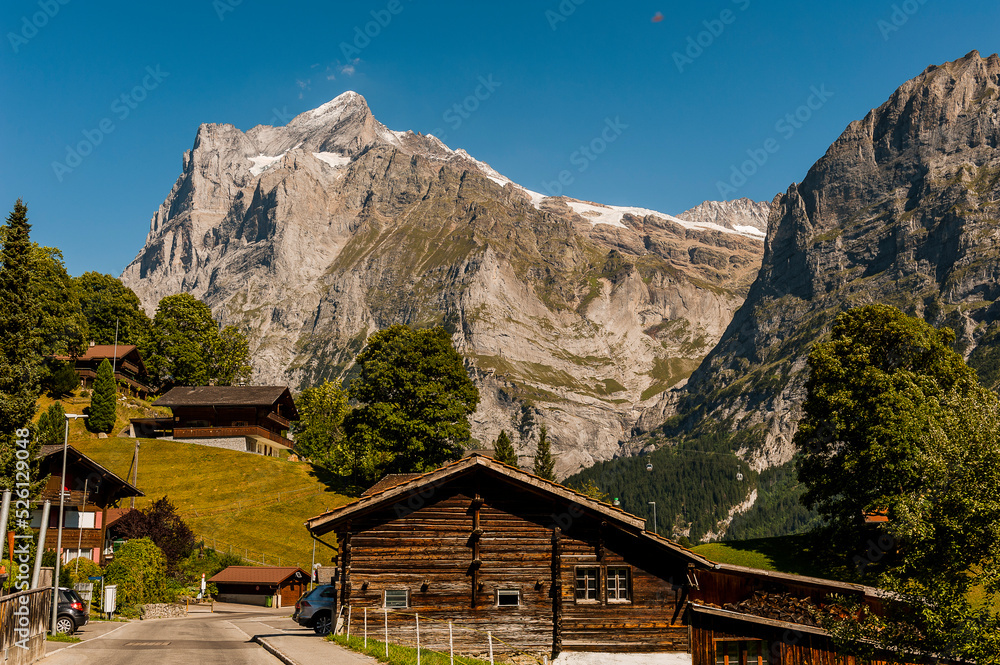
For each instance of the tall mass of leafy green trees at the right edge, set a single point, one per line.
(896, 422)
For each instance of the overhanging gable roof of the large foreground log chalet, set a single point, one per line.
(330, 520)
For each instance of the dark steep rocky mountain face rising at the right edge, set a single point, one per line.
(903, 209)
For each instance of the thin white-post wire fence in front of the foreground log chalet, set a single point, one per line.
(458, 642)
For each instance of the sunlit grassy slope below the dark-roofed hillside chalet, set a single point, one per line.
(251, 504)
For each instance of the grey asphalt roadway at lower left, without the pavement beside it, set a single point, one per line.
(204, 638)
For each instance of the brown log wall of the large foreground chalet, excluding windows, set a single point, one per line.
(454, 547)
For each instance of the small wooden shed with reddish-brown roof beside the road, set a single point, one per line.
(271, 586)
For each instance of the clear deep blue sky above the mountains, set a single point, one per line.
(689, 87)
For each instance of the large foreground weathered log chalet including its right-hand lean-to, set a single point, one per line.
(548, 570)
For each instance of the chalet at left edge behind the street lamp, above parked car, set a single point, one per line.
(90, 492)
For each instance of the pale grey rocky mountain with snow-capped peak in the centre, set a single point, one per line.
(314, 235)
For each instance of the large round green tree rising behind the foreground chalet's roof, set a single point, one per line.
(415, 399)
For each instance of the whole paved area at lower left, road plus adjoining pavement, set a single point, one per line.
(227, 636)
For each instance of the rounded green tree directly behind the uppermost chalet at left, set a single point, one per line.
(104, 300)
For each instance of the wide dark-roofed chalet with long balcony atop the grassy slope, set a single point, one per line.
(250, 418)
